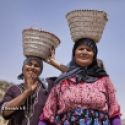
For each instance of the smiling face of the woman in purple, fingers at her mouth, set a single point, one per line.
(32, 69)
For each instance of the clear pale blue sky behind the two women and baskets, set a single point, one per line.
(16, 15)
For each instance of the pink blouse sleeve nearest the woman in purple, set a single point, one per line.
(50, 107)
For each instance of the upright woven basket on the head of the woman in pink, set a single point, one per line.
(86, 24)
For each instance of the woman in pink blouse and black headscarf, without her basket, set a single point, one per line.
(84, 95)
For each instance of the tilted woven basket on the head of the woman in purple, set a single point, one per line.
(38, 43)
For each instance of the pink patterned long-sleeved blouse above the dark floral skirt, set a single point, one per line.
(69, 94)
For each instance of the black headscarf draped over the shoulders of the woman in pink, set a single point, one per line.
(87, 74)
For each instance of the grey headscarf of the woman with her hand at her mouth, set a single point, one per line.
(27, 60)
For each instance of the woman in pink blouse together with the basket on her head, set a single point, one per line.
(84, 94)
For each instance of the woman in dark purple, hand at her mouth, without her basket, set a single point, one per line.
(22, 103)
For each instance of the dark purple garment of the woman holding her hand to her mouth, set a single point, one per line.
(20, 116)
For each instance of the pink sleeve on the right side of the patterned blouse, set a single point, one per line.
(113, 106)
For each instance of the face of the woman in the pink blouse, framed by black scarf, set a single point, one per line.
(84, 55)
